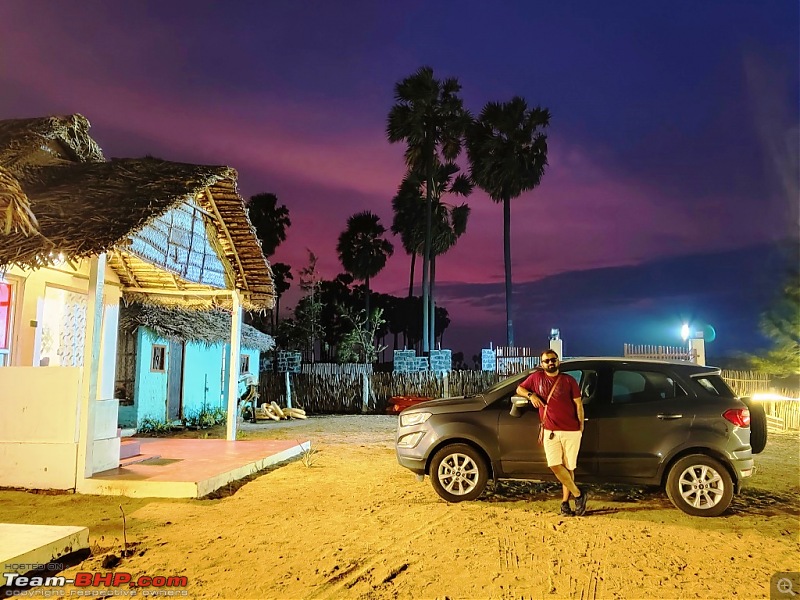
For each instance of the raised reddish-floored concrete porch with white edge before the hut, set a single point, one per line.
(189, 468)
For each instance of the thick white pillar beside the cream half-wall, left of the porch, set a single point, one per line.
(91, 364)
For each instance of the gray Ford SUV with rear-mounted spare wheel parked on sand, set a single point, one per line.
(673, 424)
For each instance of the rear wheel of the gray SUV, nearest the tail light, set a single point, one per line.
(700, 486)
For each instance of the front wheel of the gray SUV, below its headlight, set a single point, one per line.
(458, 472)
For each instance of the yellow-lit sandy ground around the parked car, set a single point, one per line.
(355, 524)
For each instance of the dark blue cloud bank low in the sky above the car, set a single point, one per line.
(599, 310)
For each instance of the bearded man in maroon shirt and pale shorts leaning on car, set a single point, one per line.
(558, 398)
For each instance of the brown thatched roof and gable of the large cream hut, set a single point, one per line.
(59, 197)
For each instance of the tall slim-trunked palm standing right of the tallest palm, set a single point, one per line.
(507, 152)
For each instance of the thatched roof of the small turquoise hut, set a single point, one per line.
(208, 327)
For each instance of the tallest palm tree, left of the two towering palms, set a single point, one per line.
(430, 117)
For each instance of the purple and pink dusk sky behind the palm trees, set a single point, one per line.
(673, 140)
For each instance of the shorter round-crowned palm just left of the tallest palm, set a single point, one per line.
(361, 249)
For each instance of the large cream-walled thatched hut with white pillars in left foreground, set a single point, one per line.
(80, 234)
